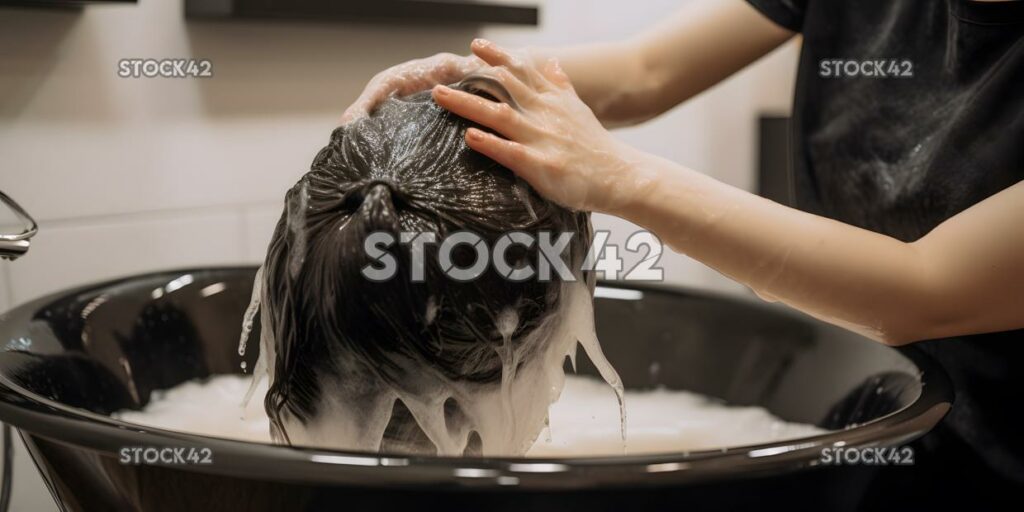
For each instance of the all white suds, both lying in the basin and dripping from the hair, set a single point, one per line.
(508, 417)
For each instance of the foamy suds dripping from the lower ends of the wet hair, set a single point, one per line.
(357, 407)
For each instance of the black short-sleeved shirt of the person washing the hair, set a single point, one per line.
(907, 113)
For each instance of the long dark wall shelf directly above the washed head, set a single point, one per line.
(365, 11)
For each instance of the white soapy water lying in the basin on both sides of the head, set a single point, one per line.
(582, 422)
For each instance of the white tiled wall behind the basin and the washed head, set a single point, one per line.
(129, 176)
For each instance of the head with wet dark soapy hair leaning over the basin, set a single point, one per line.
(344, 340)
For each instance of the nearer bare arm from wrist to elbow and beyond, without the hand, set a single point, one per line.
(891, 291)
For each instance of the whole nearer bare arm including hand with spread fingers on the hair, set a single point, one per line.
(966, 277)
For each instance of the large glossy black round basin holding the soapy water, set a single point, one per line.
(73, 358)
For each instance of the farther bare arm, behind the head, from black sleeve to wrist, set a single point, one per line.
(637, 79)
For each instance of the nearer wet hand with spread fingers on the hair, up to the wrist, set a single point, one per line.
(553, 141)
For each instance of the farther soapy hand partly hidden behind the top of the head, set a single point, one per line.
(411, 77)
